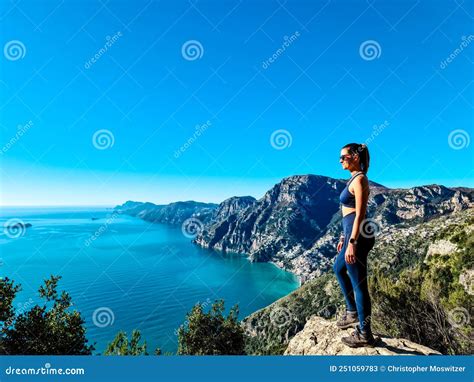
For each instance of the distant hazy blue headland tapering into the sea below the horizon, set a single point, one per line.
(173, 213)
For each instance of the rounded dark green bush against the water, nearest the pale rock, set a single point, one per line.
(211, 333)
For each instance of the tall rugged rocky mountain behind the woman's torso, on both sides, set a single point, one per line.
(296, 224)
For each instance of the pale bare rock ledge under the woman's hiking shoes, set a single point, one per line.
(322, 337)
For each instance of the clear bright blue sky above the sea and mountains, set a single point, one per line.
(321, 91)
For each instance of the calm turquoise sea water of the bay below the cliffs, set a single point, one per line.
(133, 274)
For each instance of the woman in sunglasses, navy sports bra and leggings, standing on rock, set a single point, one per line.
(353, 247)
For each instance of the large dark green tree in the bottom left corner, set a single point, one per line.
(51, 329)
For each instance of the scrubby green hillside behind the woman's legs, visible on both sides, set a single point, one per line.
(414, 296)
